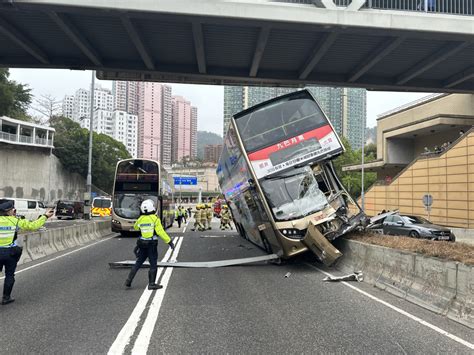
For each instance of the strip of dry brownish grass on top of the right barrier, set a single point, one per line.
(462, 252)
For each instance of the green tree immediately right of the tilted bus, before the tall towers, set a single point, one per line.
(350, 179)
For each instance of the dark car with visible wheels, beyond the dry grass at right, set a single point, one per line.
(416, 227)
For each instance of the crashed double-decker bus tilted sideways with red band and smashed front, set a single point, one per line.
(278, 179)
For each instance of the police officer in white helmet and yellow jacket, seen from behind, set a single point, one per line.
(150, 229)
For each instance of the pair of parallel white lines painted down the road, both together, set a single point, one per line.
(142, 341)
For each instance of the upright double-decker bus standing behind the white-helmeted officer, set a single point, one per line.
(137, 180)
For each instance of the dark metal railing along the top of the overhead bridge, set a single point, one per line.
(455, 7)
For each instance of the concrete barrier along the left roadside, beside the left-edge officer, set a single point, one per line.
(40, 244)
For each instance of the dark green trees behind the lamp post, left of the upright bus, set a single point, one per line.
(72, 142)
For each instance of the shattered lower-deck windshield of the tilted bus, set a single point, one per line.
(293, 194)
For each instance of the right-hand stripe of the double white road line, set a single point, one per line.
(143, 340)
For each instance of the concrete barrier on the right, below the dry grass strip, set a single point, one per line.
(444, 287)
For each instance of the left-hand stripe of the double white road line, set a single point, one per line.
(125, 335)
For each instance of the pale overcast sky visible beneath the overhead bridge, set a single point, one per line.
(208, 99)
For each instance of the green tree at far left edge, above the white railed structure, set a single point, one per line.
(14, 98)
